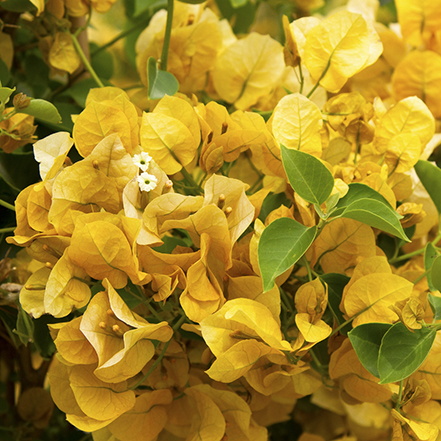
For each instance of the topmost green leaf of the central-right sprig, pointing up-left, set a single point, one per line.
(307, 175)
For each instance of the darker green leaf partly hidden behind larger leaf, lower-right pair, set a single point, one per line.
(366, 341)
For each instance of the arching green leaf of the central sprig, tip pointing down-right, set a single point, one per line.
(377, 215)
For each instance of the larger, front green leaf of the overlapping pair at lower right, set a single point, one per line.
(402, 352)
